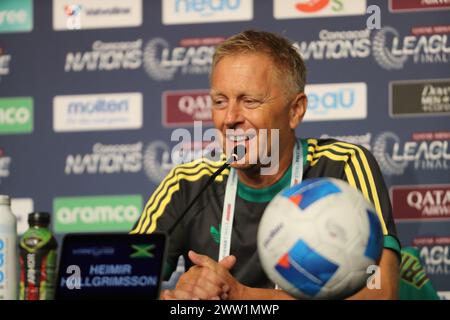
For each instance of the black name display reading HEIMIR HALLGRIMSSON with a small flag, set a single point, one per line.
(110, 266)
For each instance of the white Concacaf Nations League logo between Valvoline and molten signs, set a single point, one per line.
(162, 62)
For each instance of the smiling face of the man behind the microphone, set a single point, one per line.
(248, 94)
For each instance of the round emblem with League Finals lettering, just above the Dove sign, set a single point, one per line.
(425, 45)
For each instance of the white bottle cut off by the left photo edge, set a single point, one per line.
(8, 250)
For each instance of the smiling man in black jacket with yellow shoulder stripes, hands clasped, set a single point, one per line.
(257, 86)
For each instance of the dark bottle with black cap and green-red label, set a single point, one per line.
(37, 259)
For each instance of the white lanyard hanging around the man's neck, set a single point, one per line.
(230, 198)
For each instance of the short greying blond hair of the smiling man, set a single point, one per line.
(284, 55)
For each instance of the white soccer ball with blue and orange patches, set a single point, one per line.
(317, 239)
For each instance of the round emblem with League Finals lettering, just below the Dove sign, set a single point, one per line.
(424, 151)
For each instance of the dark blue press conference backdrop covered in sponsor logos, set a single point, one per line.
(91, 90)
